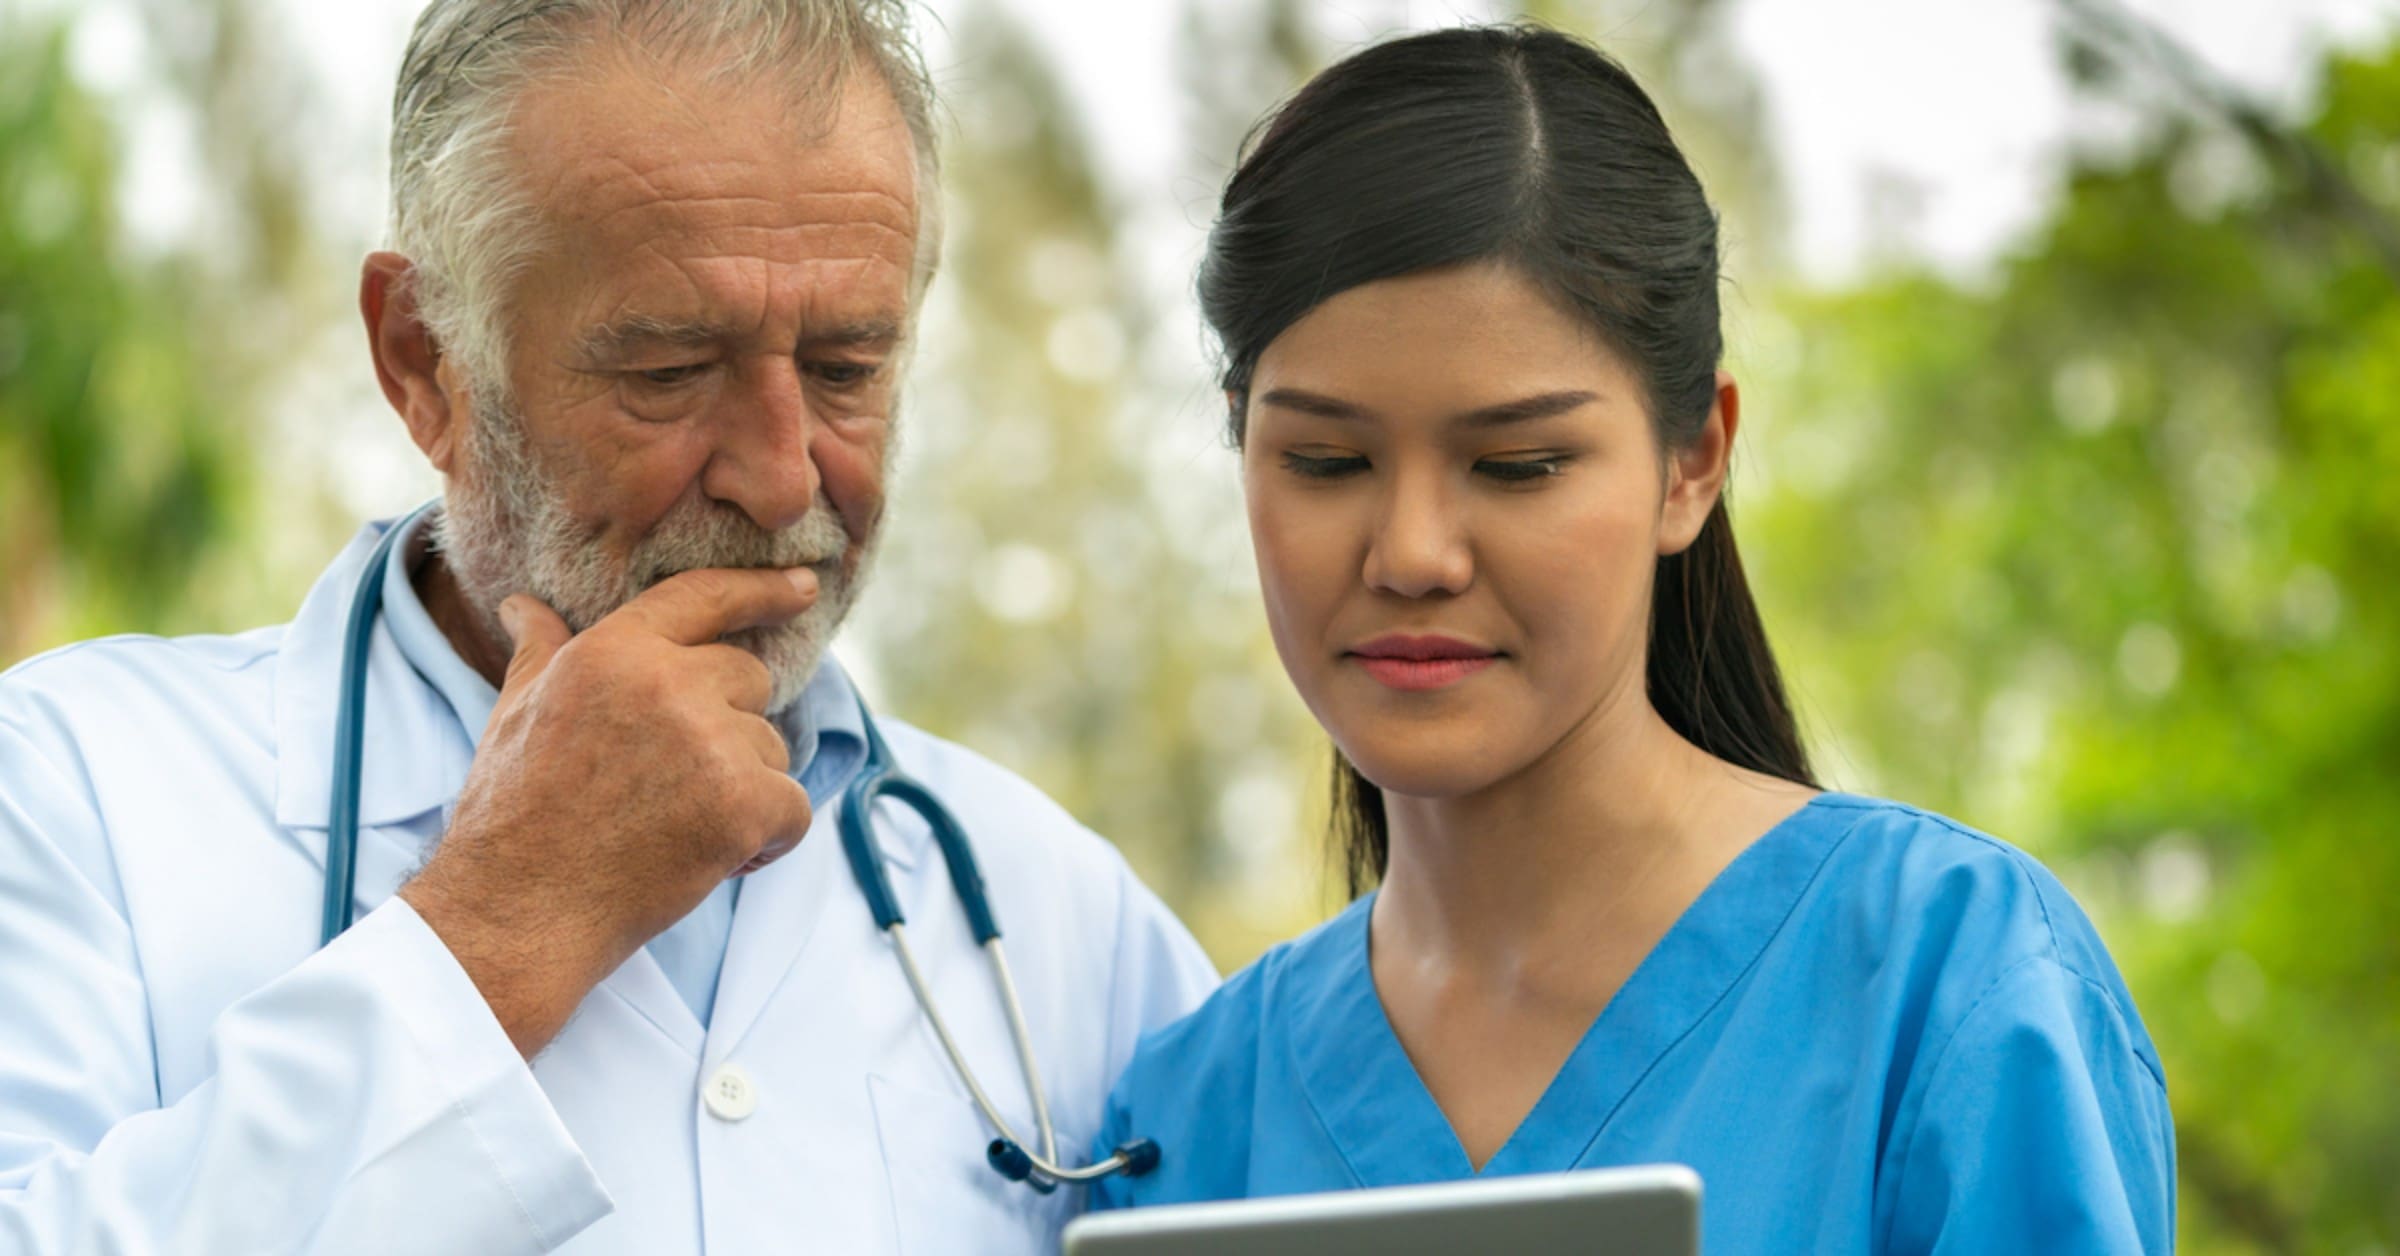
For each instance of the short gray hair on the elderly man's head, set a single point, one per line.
(457, 210)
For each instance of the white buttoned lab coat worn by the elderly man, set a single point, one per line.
(186, 1072)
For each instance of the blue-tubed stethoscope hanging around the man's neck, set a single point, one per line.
(875, 782)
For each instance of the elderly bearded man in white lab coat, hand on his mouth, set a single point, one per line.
(613, 983)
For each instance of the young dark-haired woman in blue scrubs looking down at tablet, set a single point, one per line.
(1468, 297)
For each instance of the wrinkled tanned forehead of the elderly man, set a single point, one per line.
(716, 201)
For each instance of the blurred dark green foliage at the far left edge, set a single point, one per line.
(116, 465)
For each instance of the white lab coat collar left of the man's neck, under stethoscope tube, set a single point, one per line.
(404, 734)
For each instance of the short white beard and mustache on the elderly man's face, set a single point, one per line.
(505, 530)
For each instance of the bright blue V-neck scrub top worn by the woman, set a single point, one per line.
(1876, 1031)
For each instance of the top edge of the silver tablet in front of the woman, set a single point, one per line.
(1636, 1212)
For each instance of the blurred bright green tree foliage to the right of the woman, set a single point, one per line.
(2106, 556)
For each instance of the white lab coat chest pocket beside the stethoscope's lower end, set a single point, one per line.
(947, 1197)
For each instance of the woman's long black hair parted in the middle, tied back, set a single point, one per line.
(1528, 148)
